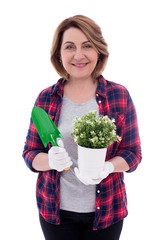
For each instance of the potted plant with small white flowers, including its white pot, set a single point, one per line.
(93, 135)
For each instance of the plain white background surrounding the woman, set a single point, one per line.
(131, 29)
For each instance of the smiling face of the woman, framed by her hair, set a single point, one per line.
(78, 55)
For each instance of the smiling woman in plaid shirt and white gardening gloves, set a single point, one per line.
(68, 208)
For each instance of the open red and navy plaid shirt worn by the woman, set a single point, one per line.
(111, 202)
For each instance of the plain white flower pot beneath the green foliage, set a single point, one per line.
(91, 161)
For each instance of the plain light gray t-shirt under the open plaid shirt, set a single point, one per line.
(74, 195)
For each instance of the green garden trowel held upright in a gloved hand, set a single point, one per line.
(46, 128)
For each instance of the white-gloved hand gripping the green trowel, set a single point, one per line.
(58, 157)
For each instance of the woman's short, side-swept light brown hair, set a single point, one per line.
(92, 32)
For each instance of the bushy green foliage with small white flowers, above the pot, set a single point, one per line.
(93, 131)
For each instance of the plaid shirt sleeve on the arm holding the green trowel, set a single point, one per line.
(33, 144)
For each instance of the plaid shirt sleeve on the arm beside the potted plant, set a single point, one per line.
(130, 146)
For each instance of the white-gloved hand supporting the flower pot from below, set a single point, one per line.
(108, 168)
